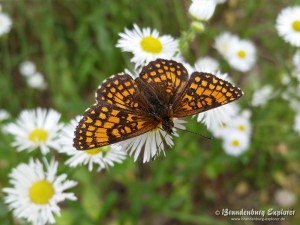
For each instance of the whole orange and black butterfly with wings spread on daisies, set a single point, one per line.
(128, 107)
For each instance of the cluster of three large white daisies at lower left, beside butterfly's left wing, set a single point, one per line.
(35, 193)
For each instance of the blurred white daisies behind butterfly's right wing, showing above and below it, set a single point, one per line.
(227, 122)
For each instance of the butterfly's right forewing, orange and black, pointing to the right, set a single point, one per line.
(204, 91)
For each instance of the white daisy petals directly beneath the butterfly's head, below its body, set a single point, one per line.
(152, 142)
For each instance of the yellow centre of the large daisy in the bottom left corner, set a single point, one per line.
(41, 192)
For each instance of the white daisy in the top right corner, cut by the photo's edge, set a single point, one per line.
(288, 25)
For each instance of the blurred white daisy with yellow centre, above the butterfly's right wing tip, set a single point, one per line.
(241, 55)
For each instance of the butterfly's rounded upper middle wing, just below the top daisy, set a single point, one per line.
(166, 78)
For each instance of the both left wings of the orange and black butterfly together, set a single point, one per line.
(119, 114)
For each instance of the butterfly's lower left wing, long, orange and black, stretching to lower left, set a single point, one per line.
(104, 124)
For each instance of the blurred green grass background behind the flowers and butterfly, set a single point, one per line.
(72, 43)
